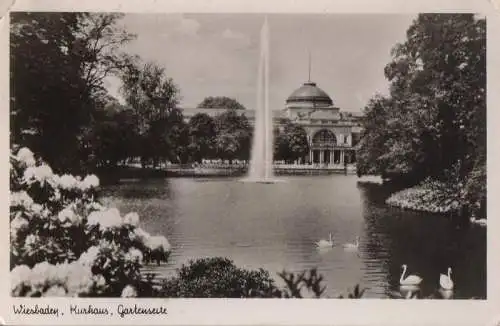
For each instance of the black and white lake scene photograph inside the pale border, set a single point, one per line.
(248, 155)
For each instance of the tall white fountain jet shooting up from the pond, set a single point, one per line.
(261, 162)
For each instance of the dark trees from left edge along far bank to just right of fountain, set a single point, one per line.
(61, 109)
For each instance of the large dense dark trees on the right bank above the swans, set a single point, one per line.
(433, 122)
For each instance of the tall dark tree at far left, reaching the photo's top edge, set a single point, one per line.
(58, 64)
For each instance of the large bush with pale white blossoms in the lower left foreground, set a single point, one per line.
(65, 243)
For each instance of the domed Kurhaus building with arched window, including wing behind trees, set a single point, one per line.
(332, 134)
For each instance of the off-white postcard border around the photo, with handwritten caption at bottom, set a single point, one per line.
(268, 311)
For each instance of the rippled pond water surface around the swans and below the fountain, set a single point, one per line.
(276, 227)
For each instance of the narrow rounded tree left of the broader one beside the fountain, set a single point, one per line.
(202, 135)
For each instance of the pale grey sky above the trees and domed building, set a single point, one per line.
(218, 54)
